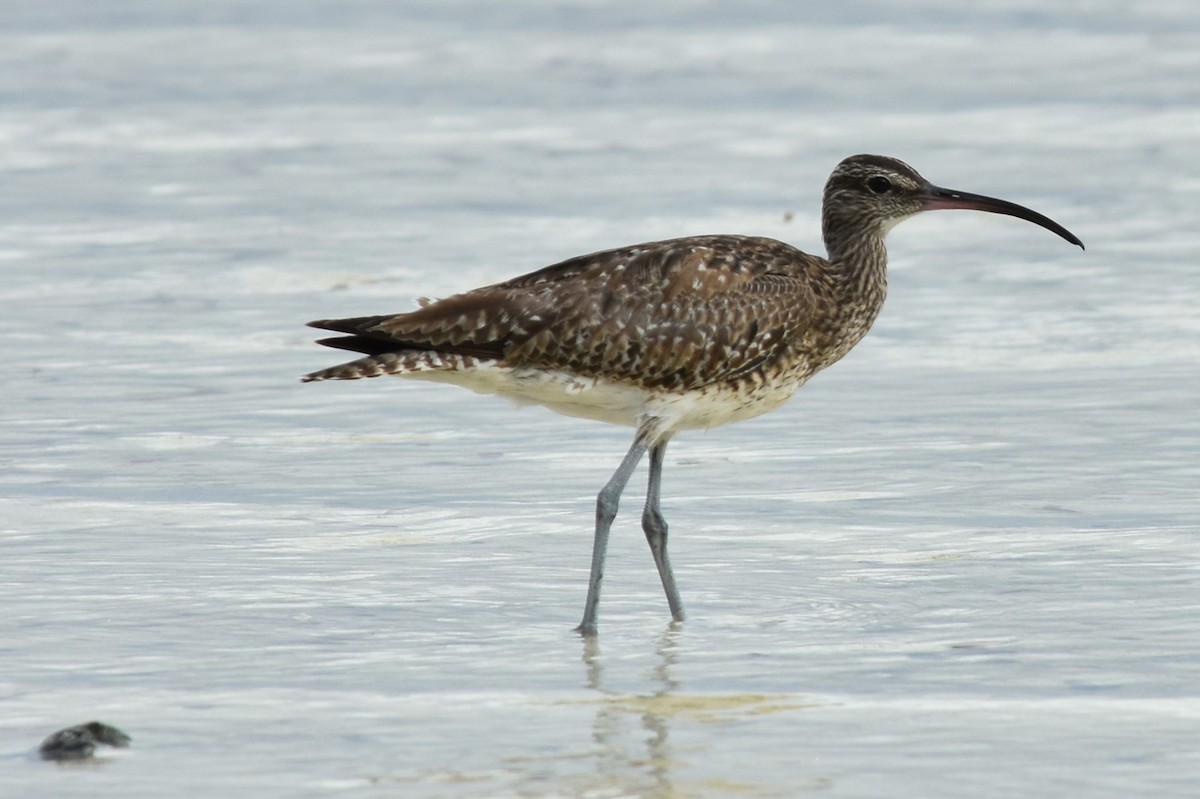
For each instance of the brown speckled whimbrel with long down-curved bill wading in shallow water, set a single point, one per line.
(667, 337)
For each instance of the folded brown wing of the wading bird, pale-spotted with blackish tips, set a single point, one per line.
(680, 315)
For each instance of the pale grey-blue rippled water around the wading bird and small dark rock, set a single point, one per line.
(963, 563)
